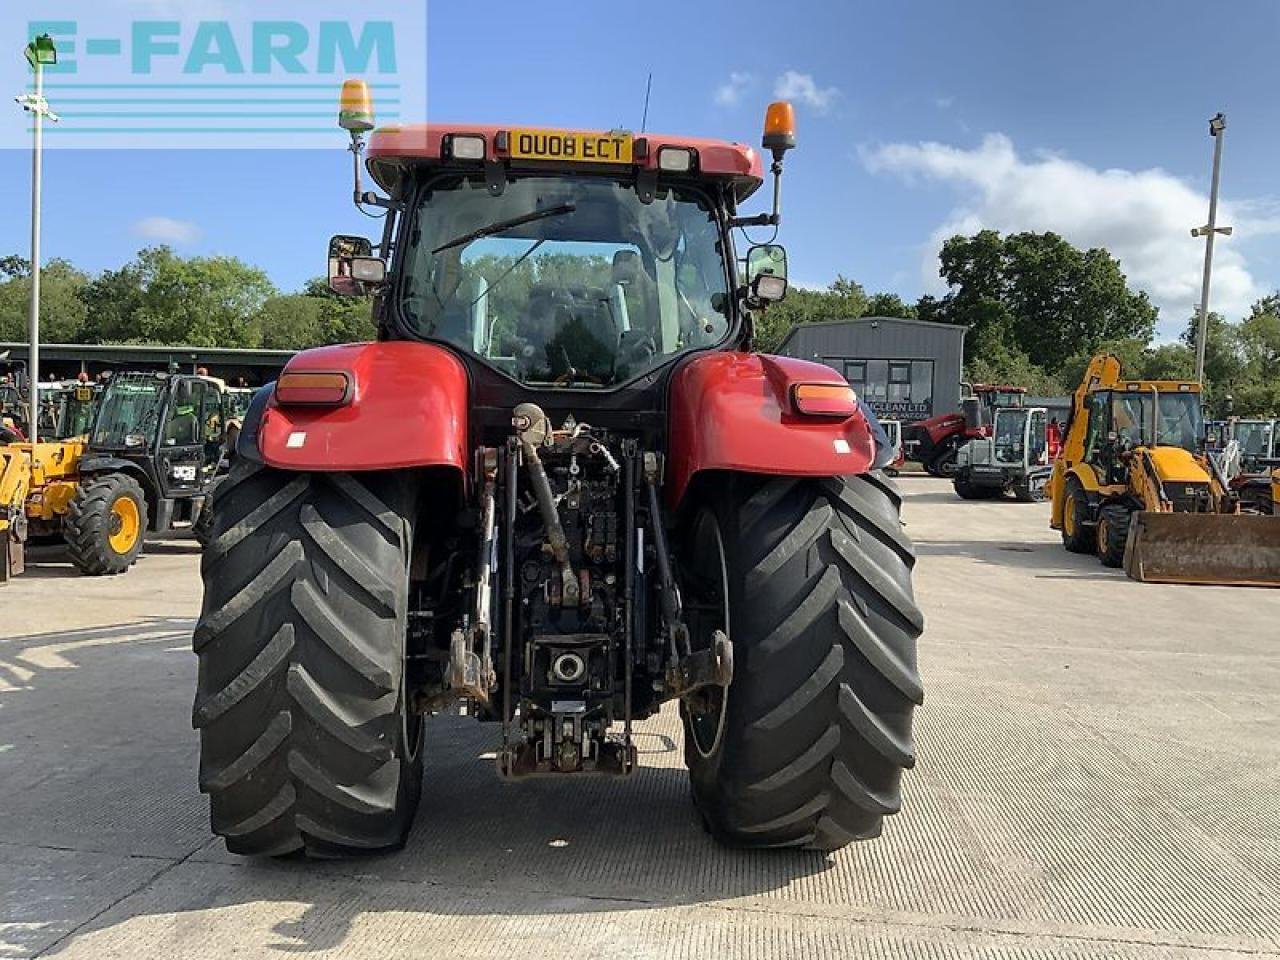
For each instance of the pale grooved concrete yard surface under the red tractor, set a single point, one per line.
(1099, 778)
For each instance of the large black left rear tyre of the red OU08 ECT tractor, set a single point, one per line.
(307, 740)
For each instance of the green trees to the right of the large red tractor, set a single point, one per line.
(1039, 309)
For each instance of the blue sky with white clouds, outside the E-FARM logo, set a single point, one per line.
(917, 118)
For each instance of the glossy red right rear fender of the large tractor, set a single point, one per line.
(734, 412)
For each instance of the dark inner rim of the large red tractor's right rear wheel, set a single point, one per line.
(708, 612)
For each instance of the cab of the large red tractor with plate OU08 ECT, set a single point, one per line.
(561, 262)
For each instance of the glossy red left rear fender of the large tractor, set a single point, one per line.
(406, 406)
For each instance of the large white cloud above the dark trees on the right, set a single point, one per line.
(1142, 217)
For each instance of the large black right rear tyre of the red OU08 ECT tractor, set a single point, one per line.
(824, 625)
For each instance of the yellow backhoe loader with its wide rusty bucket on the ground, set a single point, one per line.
(1135, 487)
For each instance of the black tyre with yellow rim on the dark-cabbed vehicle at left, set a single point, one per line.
(106, 525)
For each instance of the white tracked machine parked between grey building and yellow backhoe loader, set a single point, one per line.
(1016, 459)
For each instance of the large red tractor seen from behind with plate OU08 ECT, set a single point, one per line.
(560, 491)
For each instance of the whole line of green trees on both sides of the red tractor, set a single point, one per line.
(1036, 307)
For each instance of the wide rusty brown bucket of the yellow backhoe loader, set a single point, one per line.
(1204, 548)
